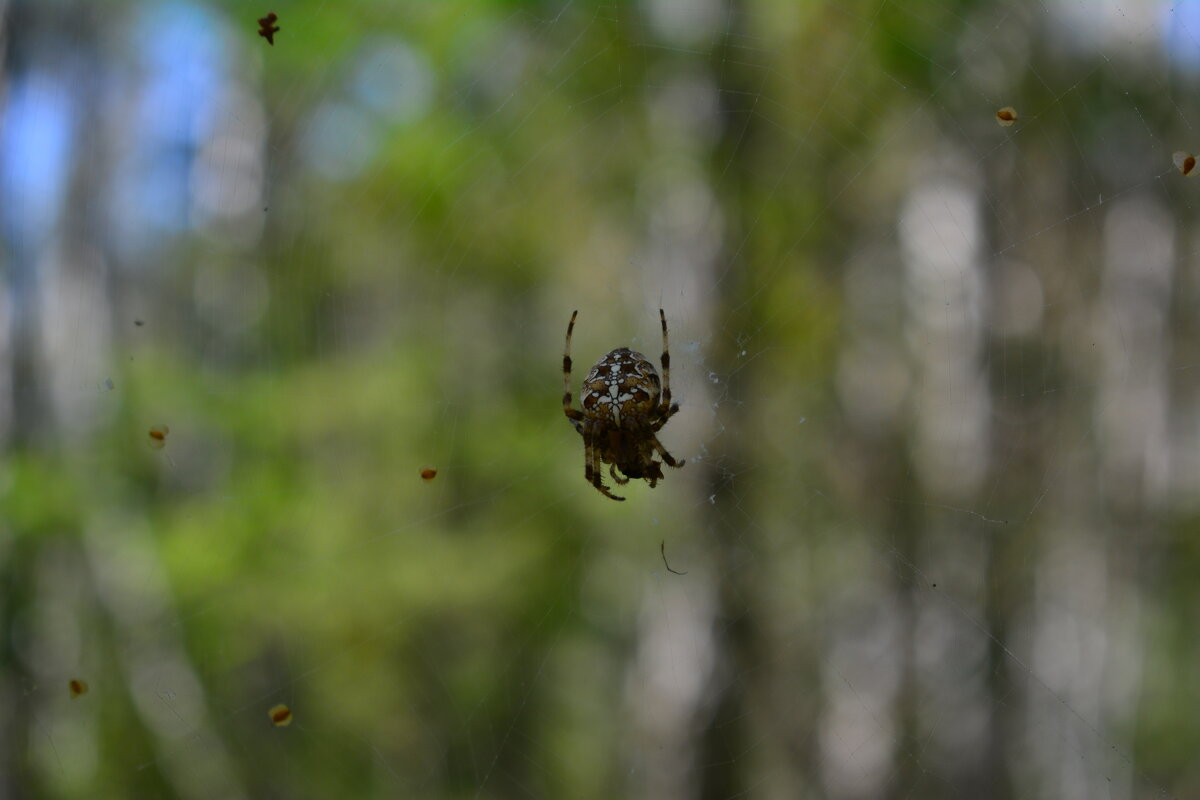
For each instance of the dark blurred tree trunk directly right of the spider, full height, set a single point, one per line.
(765, 699)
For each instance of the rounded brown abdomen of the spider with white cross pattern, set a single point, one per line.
(623, 389)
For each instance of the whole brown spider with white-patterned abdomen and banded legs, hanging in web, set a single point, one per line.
(622, 413)
